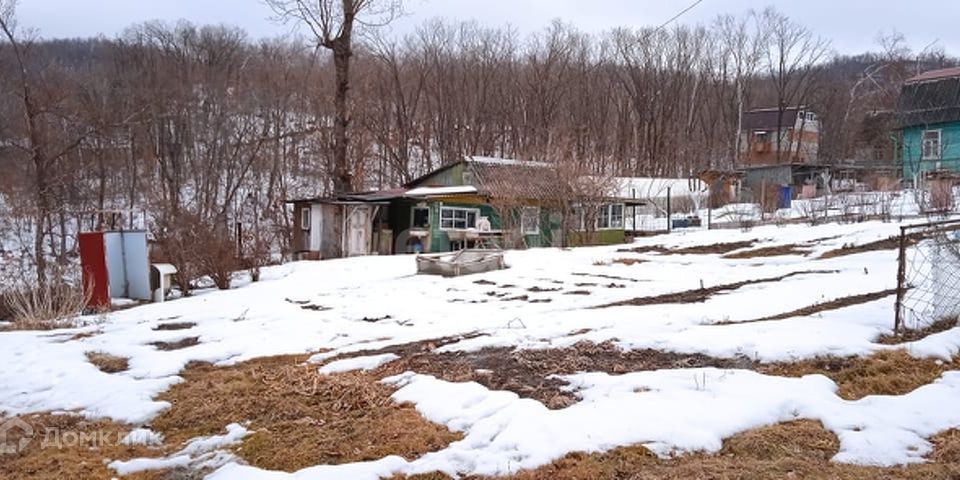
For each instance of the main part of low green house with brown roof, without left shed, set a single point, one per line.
(493, 202)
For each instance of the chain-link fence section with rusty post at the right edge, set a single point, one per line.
(928, 277)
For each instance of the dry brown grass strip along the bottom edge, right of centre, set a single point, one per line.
(800, 449)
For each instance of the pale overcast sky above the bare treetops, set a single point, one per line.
(851, 25)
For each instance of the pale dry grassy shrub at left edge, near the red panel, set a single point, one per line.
(44, 307)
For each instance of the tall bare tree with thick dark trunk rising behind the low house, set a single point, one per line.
(332, 24)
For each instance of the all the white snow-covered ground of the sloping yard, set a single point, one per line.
(547, 299)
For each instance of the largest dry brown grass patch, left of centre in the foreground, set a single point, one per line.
(300, 418)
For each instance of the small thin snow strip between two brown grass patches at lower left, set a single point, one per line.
(200, 453)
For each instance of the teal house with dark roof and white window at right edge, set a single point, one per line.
(929, 123)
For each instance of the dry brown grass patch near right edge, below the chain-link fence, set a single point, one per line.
(891, 372)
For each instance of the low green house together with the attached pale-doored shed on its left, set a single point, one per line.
(477, 202)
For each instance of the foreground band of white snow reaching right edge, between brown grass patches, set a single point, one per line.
(668, 411)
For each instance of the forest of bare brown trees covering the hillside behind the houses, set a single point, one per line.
(199, 128)
